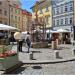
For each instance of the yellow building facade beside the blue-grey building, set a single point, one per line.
(44, 12)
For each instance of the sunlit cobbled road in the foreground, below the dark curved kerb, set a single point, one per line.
(66, 68)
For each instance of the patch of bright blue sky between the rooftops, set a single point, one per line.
(27, 4)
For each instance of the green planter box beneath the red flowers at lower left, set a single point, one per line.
(8, 62)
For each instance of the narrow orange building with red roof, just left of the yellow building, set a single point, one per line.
(26, 21)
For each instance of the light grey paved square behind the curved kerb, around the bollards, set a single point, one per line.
(41, 54)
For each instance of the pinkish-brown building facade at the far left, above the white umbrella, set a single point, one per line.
(4, 13)
